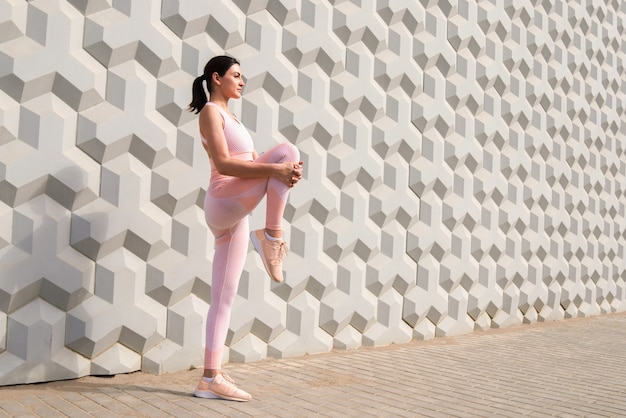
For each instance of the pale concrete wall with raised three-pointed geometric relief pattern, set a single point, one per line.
(465, 168)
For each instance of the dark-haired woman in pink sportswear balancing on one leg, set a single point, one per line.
(240, 178)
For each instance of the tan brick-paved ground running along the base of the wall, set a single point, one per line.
(571, 368)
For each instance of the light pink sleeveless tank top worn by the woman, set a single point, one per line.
(239, 144)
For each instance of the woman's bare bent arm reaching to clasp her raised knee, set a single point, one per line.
(212, 129)
